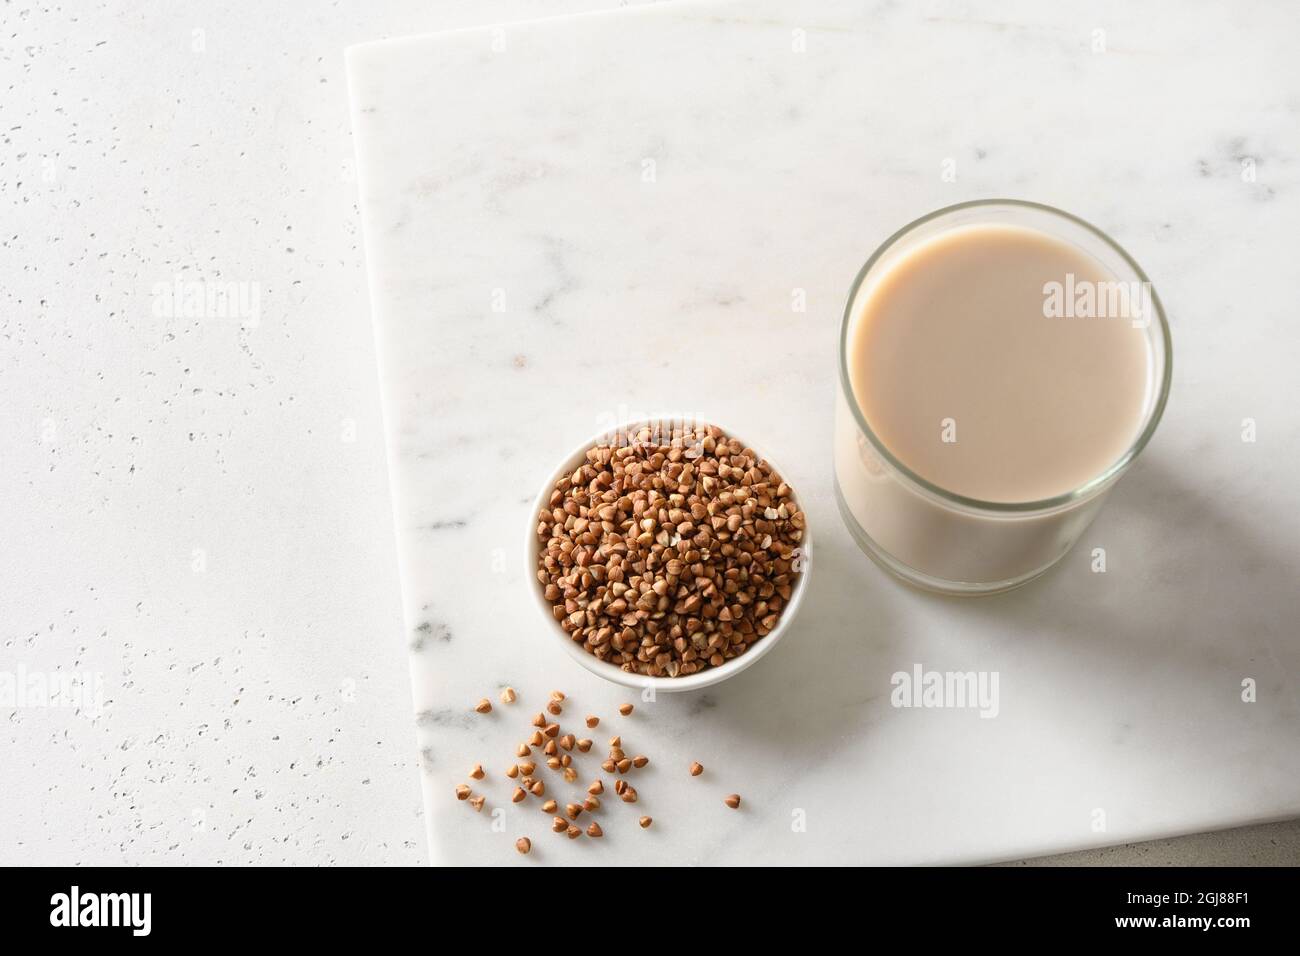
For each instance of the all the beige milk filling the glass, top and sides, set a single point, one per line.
(963, 377)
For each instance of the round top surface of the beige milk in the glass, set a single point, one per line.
(968, 383)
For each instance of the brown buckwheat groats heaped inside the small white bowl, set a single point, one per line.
(670, 551)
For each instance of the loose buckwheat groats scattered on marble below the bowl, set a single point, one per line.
(558, 750)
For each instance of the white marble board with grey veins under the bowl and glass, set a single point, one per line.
(532, 282)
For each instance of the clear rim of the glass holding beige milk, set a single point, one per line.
(1071, 498)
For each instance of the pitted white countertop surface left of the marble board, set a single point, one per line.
(257, 710)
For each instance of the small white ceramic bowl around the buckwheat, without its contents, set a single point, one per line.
(610, 672)
